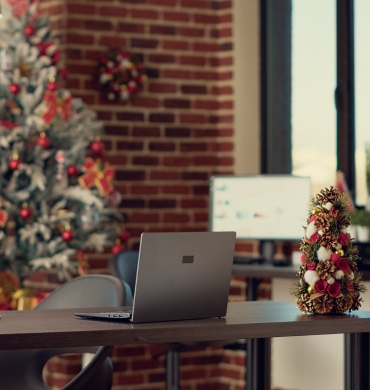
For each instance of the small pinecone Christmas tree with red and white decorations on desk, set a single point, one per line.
(328, 282)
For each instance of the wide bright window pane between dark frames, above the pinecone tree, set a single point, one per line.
(313, 84)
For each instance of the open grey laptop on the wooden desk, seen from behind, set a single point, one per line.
(179, 276)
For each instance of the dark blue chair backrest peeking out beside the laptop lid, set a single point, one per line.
(124, 267)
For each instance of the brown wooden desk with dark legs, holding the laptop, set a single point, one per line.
(255, 320)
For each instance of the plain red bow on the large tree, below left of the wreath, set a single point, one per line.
(56, 104)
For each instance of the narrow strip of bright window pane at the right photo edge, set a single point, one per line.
(362, 88)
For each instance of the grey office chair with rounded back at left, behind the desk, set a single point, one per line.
(22, 370)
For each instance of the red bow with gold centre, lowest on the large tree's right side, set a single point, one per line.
(97, 175)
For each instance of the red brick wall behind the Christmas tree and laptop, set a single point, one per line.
(164, 143)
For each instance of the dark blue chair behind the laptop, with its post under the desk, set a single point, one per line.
(124, 266)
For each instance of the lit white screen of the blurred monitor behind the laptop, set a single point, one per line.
(261, 207)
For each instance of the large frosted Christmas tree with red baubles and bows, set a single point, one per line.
(56, 195)
